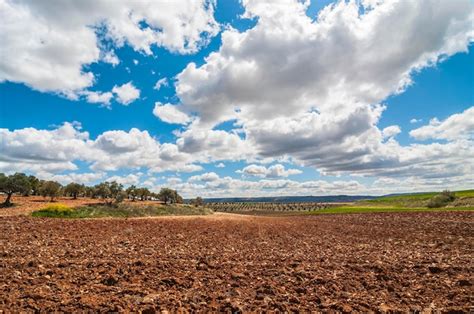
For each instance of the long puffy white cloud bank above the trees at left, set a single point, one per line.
(54, 151)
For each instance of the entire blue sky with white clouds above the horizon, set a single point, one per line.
(240, 98)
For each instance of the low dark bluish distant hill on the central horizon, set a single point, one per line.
(291, 199)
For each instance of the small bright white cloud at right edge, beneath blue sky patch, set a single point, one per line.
(460, 125)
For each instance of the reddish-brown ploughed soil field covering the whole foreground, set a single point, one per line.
(398, 261)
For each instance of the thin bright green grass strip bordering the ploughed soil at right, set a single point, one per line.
(375, 209)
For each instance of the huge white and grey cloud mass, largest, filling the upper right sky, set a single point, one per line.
(296, 93)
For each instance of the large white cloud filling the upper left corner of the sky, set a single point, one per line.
(47, 44)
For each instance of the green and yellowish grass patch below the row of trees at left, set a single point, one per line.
(123, 211)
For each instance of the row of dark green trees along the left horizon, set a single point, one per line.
(110, 192)
